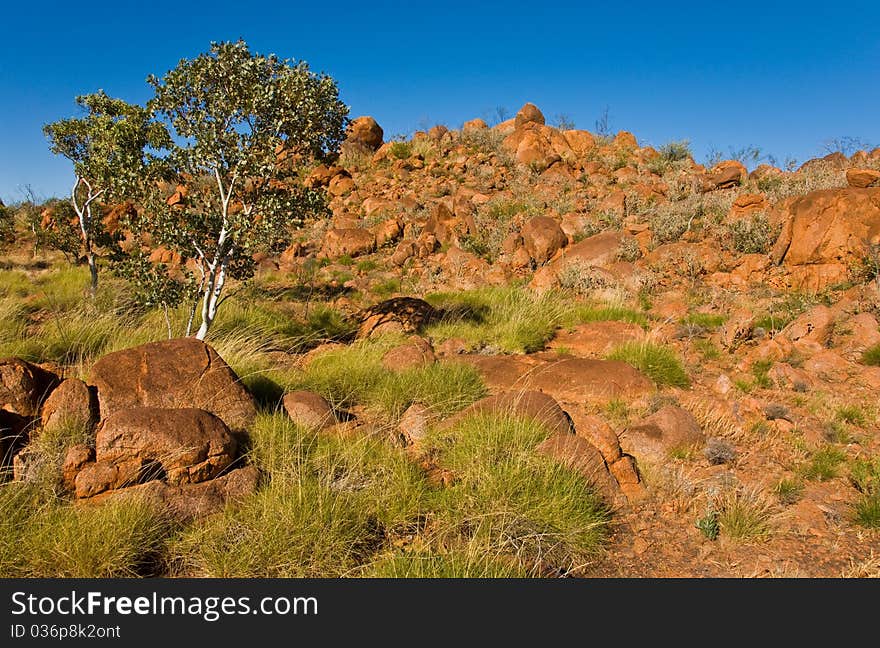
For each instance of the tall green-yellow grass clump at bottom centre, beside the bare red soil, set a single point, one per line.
(507, 499)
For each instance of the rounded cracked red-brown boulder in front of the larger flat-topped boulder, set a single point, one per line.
(176, 446)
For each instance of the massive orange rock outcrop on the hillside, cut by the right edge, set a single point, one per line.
(824, 231)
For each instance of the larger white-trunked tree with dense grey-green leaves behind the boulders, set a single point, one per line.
(235, 115)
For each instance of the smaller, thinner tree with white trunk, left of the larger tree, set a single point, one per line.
(108, 148)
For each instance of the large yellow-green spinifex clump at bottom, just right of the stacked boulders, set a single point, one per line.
(329, 504)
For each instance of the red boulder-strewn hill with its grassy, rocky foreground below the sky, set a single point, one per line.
(634, 364)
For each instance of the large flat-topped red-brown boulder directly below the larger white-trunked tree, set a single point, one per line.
(176, 373)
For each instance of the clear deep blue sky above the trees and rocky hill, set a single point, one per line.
(782, 76)
